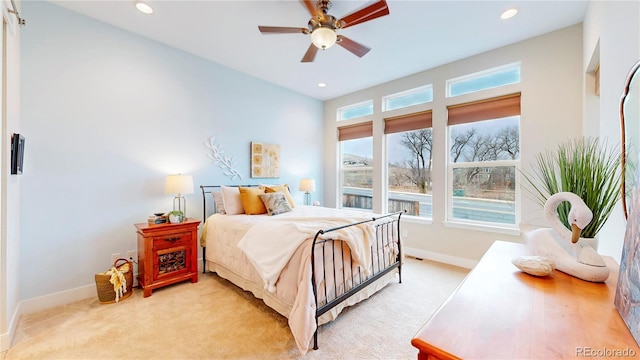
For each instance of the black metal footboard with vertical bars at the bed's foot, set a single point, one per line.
(335, 284)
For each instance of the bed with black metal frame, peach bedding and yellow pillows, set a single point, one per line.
(320, 260)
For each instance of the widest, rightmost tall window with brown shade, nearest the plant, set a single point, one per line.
(485, 151)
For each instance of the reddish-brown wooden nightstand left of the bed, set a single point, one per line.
(167, 253)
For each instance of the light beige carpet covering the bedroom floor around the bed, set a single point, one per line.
(213, 319)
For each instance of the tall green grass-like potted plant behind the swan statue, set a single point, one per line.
(584, 167)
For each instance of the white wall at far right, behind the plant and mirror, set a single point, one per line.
(612, 33)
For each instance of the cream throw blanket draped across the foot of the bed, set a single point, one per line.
(269, 245)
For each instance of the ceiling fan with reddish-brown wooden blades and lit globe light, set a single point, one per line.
(322, 26)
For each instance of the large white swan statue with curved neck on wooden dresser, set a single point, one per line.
(565, 248)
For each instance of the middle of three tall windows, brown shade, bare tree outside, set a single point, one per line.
(409, 157)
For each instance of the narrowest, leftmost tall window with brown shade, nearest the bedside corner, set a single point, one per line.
(356, 165)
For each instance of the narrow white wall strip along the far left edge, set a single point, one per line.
(9, 184)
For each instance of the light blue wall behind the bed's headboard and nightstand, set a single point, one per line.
(107, 115)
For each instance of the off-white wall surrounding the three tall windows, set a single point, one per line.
(551, 112)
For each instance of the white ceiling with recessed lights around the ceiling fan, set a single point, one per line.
(415, 36)
